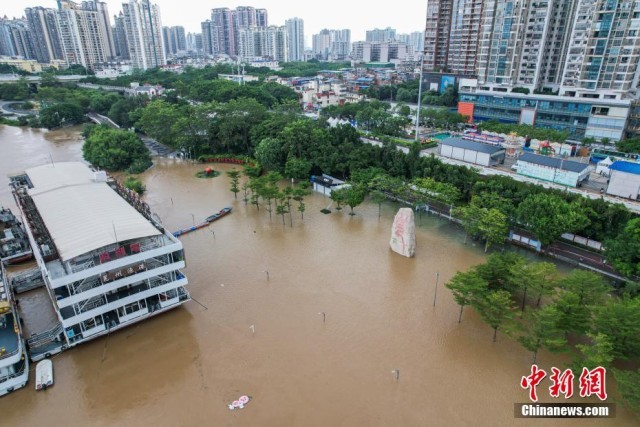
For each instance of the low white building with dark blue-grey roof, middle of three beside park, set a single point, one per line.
(552, 169)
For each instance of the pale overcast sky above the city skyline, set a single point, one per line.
(405, 16)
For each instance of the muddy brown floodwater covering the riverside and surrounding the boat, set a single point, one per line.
(184, 367)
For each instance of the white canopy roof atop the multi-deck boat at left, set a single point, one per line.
(80, 213)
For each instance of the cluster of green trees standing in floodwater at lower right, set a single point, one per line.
(543, 309)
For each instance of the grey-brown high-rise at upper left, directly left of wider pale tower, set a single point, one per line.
(45, 33)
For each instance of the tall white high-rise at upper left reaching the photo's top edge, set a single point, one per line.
(143, 29)
